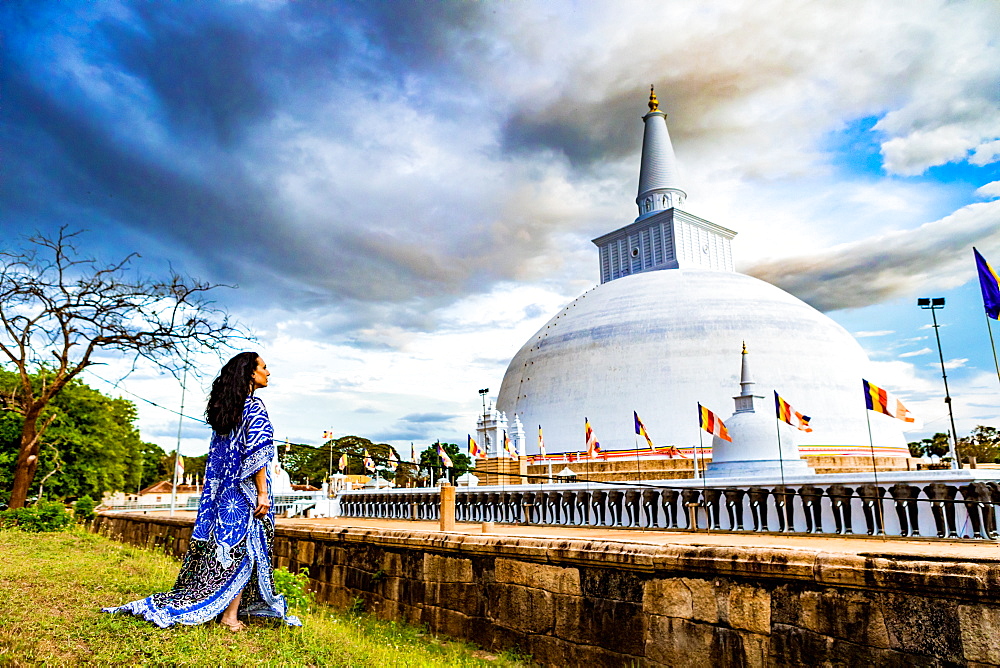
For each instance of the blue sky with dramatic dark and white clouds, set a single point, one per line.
(403, 192)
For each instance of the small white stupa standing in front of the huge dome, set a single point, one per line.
(755, 432)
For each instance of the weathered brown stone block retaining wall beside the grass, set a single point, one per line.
(596, 602)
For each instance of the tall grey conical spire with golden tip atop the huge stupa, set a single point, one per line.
(659, 187)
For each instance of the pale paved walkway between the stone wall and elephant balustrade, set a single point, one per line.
(966, 549)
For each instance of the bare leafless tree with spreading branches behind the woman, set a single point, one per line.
(59, 308)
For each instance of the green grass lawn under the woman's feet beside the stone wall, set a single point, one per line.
(52, 586)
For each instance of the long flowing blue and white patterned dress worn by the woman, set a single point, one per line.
(230, 549)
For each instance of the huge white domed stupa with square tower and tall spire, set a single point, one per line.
(663, 332)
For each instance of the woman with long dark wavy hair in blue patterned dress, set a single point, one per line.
(227, 569)
